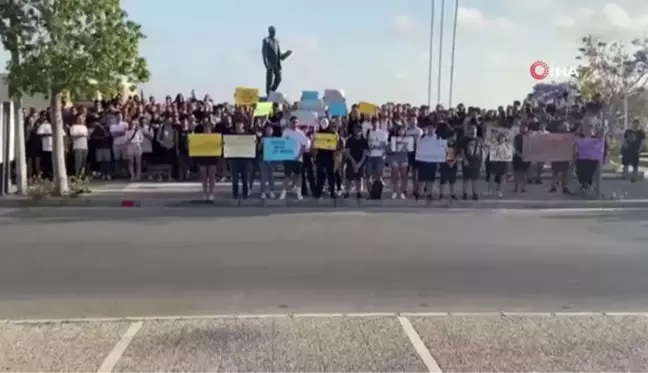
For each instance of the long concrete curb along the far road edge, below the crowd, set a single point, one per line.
(487, 204)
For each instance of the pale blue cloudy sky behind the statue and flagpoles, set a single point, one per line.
(375, 51)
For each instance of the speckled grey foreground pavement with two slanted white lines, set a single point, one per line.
(341, 344)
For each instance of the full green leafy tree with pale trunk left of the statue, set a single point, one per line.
(79, 46)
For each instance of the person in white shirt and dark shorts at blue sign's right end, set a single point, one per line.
(293, 169)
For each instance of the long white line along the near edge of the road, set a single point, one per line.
(314, 315)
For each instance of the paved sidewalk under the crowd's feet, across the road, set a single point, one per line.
(617, 193)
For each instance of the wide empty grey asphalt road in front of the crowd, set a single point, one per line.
(130, 262)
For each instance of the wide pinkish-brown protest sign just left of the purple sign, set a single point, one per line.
(547, 147)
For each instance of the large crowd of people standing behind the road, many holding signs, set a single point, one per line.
(129, 138)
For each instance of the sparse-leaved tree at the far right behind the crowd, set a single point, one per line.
(613, 71)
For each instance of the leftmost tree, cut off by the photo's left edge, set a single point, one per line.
(16, 23)
